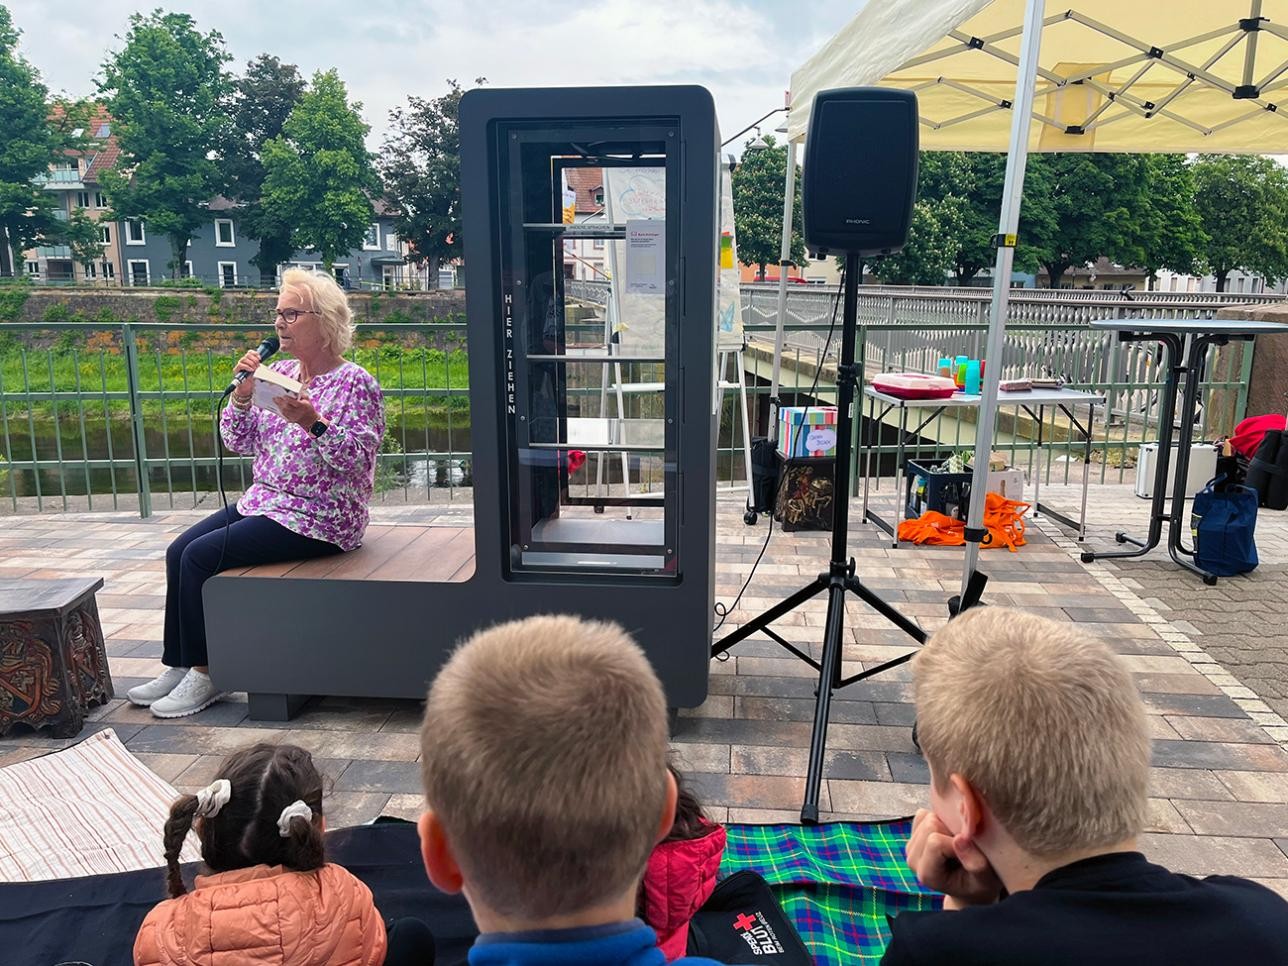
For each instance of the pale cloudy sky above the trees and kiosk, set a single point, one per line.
(743, 51)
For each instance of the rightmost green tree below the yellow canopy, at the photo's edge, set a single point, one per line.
(1244, 204)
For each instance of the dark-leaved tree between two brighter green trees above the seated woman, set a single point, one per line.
(262, 101)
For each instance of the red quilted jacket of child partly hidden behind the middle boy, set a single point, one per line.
(679, 879)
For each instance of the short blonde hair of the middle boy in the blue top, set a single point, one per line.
(544, 757)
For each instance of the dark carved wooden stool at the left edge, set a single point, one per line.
(53, 665)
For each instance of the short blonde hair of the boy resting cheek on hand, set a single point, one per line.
(1044, 721)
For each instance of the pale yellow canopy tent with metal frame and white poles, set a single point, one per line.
(1095, 75)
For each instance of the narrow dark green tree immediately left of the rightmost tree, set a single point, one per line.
(1173, 234)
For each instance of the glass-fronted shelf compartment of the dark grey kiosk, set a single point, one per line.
(592, 382)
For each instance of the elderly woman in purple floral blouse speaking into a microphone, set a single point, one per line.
(314, 475)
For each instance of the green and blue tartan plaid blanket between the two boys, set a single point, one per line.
(837, 883)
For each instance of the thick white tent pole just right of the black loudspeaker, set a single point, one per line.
(1009, 223)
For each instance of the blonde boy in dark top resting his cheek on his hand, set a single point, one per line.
(1039, 755)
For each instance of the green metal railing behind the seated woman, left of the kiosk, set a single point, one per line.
(108, 414)
